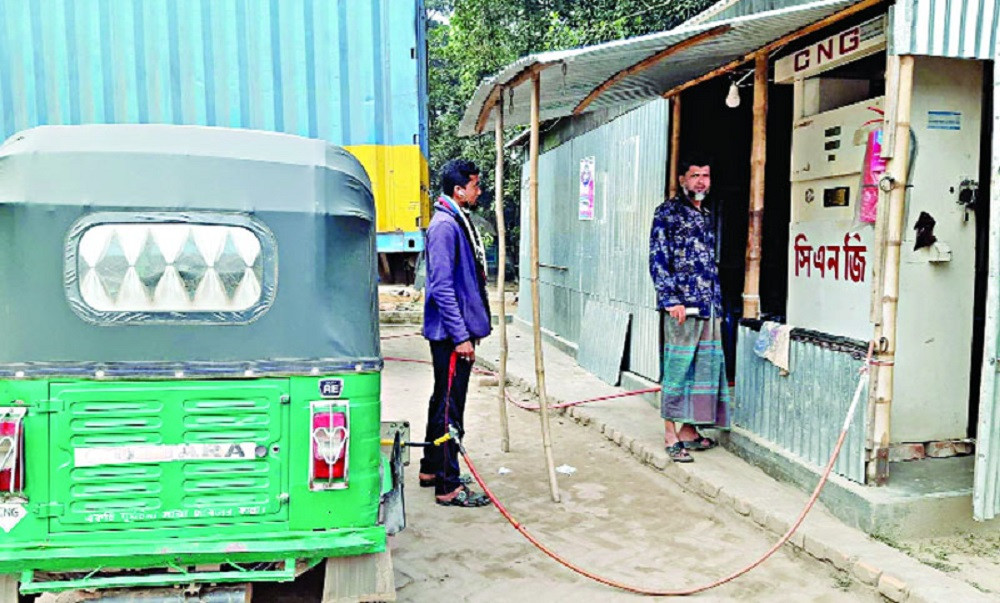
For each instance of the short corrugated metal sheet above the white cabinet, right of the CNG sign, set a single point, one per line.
(947, 28)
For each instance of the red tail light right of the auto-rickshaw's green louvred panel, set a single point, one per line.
(329, 442)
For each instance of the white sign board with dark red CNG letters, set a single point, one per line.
(844, 47)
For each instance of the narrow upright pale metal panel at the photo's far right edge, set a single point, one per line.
(986, 494)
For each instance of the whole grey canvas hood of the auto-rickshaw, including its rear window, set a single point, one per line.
(161, 251)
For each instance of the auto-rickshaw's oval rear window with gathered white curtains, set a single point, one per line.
(130, 268)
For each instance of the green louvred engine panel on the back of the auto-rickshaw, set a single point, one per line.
(156, 454)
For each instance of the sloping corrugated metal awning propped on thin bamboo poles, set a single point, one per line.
(573, 74)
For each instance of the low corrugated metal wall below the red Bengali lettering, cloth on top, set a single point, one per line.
(804, 411)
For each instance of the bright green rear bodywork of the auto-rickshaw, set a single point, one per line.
(91, 506)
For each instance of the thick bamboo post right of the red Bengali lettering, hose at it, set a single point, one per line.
(897, 168)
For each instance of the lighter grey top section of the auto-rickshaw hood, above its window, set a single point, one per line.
(186, 166)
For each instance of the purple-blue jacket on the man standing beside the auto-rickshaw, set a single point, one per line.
(453, 308)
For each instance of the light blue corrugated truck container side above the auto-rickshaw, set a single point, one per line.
(348, 71)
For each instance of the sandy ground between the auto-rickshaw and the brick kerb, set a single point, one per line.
(617, 517)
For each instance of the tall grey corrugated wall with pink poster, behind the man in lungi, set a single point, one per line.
(604, 259)
